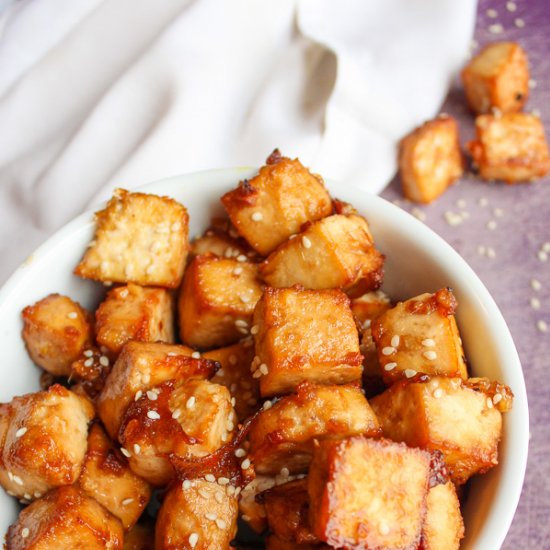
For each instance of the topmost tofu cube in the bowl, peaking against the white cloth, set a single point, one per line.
(273, 205)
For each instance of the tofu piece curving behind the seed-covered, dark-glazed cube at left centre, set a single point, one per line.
(140, 367)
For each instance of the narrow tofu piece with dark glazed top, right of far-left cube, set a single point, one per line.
(107, 478)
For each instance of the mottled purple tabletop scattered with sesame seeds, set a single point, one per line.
(520, 232)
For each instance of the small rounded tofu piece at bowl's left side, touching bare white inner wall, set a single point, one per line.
(56, 330)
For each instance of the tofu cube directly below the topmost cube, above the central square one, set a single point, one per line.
(335, 252)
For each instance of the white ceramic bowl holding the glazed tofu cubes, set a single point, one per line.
(417, 261)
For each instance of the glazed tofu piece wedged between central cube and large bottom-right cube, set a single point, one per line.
(284, 435)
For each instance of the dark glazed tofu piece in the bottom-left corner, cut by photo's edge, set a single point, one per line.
(65, 518)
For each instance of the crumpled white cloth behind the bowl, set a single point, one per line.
(102, 93)
